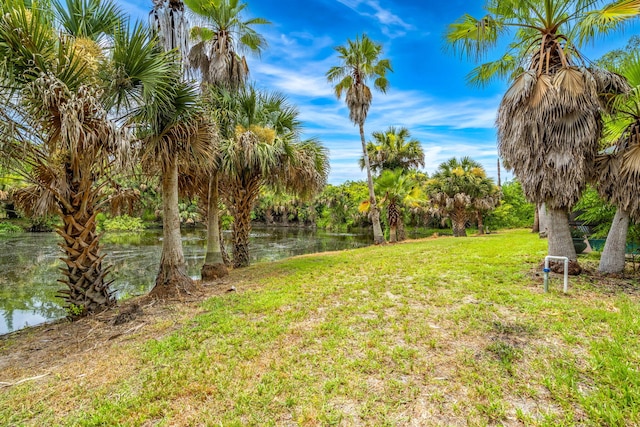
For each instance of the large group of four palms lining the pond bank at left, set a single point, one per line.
(89, 95)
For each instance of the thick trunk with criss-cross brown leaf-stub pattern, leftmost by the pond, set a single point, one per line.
(87, 290)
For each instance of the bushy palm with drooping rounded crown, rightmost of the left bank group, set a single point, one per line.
(266, 150)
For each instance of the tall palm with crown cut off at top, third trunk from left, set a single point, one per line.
(222, 39)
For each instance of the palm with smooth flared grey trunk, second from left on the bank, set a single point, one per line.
(180, 133)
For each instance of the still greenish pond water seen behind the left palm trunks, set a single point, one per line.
(30, 264)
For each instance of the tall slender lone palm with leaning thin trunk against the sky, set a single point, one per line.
(360, 61)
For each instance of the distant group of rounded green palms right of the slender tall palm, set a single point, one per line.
(459, 189)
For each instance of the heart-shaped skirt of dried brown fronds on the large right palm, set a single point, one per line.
(551, 143)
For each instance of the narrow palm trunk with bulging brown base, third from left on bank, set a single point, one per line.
(214, 266)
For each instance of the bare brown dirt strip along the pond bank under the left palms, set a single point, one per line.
(35, 352)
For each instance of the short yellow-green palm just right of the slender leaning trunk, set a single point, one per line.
(399, 189)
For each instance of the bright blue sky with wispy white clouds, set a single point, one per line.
(427, 94)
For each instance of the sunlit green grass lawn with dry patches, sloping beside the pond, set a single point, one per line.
(432, 332)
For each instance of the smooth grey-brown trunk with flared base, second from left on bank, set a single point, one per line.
(172, 277)
